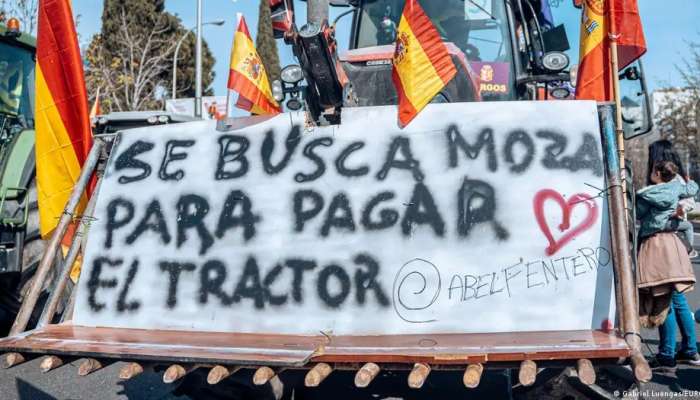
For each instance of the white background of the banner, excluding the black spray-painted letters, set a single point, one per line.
(419, 272)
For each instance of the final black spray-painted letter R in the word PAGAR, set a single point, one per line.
(476, 204)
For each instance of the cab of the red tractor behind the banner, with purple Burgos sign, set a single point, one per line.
(503, 51)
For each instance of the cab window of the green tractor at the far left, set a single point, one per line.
(16, 82)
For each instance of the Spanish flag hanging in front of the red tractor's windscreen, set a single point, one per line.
(422, 65)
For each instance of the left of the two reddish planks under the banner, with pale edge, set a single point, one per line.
(187, 347)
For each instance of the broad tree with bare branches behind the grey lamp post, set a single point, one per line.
(131, 58)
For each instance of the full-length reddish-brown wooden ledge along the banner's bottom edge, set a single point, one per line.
(293, 351)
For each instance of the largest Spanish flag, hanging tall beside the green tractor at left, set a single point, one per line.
(63, 136)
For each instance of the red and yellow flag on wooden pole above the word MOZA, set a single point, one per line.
(603, 20)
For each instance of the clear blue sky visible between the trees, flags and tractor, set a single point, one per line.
(668, 25)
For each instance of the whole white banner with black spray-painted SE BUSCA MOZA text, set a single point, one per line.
(478, 217)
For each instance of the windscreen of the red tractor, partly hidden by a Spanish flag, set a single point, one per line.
(478, 28)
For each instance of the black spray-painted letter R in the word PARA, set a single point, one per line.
(191, 210)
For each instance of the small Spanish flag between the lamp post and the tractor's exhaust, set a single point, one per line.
(247, 75)
